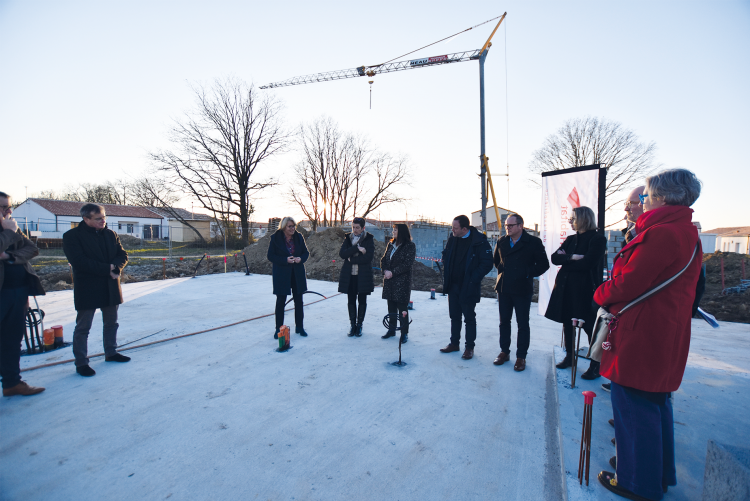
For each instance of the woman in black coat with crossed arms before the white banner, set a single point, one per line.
(580, 257)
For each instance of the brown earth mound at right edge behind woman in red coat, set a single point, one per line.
(730, 308)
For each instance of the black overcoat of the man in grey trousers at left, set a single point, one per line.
(90, 253)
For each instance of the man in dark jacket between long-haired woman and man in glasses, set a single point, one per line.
(467, 258)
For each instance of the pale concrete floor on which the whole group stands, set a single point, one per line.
(223, 415)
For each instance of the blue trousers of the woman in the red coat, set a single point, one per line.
(644, 433)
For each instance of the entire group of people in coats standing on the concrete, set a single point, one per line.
(646, 348)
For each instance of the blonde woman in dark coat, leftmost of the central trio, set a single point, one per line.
(288, 252)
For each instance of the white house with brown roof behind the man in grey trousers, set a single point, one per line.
(46, 218)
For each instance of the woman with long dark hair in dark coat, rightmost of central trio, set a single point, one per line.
(397, 264)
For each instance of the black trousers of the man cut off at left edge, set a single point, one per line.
(12, 326)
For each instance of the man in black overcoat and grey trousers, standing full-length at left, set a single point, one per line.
(97, 257)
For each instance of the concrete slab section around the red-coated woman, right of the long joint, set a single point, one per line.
(711, 404)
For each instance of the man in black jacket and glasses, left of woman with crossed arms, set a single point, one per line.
(518, 257)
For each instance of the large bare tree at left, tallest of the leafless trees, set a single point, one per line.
(219, 145)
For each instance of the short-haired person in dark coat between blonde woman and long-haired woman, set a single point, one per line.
(355, 279)
